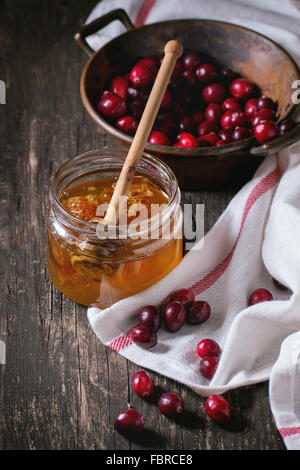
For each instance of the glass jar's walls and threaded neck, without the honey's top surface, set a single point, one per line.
(99, 272)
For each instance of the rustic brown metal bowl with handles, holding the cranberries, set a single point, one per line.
(252, 55)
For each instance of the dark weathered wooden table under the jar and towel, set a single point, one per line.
(61, 388)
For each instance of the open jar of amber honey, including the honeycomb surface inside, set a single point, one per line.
(98, 270)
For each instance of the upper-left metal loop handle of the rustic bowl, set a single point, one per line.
(100, 23)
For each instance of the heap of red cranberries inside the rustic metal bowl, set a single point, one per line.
(203, 105)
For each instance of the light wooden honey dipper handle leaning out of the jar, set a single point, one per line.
(173, 50)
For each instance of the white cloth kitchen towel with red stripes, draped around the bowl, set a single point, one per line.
(255, 239)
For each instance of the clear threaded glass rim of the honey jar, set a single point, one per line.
(119, 155)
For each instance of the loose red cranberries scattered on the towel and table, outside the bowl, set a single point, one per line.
(175, 310)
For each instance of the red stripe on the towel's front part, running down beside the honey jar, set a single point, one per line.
(267, 183)
